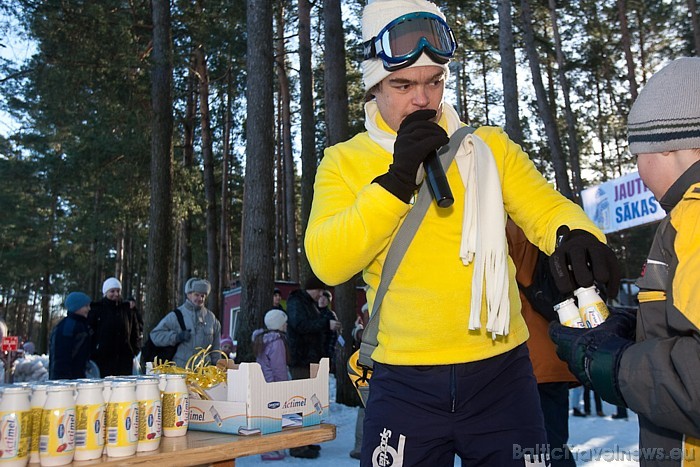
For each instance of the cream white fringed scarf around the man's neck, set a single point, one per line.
(484, 221)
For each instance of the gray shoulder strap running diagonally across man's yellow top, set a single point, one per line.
(398, 247)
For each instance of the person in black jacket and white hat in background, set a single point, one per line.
(116, 329)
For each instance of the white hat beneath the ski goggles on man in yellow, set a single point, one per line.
(379, 13)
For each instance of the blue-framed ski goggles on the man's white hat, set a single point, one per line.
(400, 43)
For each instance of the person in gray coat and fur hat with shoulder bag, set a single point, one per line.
(203, 329)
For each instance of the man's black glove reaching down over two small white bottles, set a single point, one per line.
(589, 259)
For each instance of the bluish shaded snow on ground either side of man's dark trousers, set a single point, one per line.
(595, 441)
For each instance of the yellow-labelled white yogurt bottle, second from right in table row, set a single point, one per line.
(150, 414)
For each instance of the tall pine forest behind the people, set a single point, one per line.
(159, 140)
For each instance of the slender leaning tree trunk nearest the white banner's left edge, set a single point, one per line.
(574, 164)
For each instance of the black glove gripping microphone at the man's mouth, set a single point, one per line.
(418, 136)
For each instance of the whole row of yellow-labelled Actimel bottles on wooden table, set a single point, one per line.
(56, 422)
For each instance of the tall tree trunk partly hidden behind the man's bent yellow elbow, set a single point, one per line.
(337, 122)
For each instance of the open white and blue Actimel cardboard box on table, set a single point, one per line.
(256, 406)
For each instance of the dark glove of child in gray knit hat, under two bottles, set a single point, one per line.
(593, 355)
